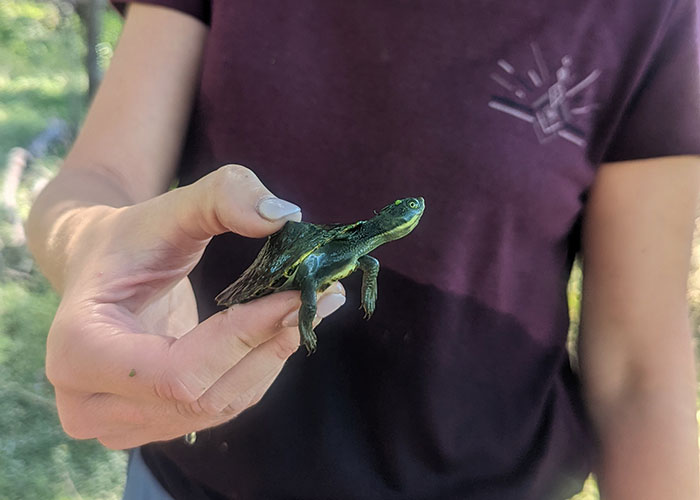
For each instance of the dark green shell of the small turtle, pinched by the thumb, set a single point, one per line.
(274, 267)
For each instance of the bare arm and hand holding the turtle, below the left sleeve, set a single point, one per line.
(128, 359)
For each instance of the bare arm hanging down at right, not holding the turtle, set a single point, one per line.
(635, 345)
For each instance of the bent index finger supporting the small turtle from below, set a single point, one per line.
(108, 351)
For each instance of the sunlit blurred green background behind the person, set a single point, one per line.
(52, 54)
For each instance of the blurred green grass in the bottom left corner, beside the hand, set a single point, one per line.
(38, 459)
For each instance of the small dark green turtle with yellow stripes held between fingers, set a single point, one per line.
(309, 257)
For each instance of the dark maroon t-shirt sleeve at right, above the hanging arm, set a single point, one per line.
(662, 115)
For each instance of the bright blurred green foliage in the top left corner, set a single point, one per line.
(41, 75)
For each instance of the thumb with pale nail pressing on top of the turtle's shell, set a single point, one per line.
(231, 198)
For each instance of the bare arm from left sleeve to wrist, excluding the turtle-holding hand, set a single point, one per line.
(130, 143)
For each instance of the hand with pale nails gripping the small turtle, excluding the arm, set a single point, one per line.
(128, 359)
